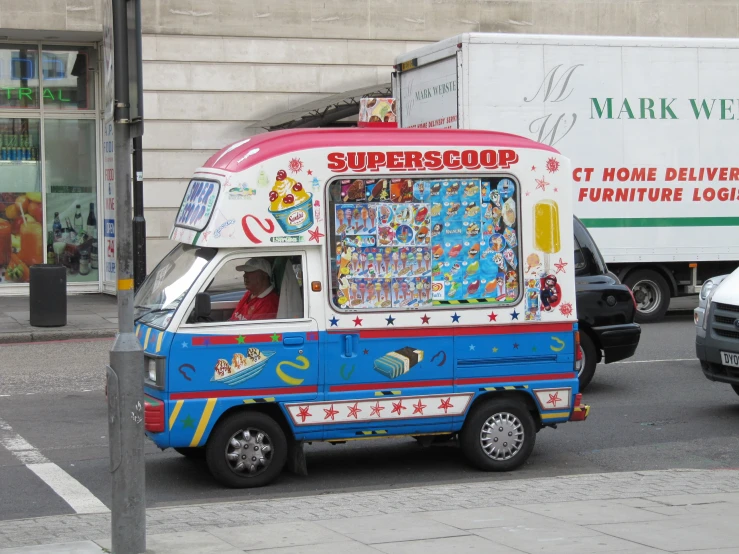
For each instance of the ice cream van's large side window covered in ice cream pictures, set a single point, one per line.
(418, 243)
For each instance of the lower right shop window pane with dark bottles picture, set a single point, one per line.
(71, 196)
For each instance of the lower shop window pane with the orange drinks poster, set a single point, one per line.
(21, 212)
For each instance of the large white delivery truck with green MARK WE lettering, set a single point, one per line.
(651, 126)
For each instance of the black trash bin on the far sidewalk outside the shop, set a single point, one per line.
(48, 295)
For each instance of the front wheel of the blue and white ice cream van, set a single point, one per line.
(247, 449)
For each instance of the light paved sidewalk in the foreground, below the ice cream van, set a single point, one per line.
(648, 512)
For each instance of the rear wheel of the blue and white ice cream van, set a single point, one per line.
(498, 435)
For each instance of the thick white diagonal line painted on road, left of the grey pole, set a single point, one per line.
(62, 483)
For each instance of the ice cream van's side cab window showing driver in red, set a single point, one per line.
(257, 289)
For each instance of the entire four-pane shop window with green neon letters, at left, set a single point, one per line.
(48, 216)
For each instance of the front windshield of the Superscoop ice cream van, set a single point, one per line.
(166, 286)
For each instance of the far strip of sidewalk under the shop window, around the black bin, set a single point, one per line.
(88, 316)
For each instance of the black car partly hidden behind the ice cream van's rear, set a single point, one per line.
(605, 309)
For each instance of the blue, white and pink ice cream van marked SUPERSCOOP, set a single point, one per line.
(335, 285)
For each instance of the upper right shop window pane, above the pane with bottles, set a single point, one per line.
(68, 77)
